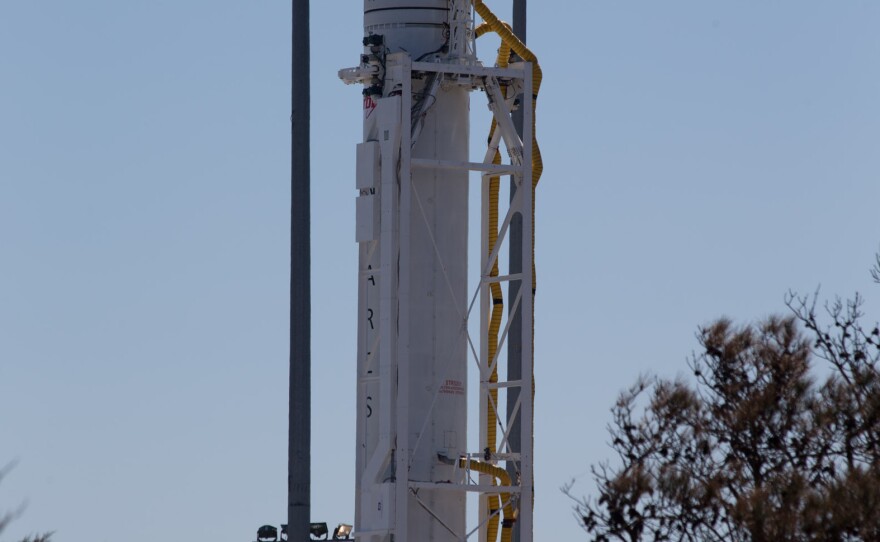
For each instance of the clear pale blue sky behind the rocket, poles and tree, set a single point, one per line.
(701, 159)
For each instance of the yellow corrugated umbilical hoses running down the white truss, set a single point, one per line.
(509, 43)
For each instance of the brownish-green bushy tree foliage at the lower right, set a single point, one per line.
(756, 447)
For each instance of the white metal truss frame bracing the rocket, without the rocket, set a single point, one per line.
(386, 491)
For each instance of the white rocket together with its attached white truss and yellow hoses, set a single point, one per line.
(414, 470)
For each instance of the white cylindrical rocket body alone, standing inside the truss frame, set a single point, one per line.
(412, 344)
